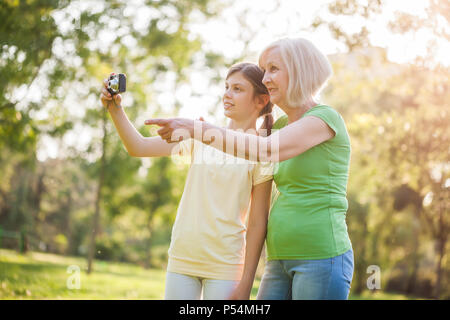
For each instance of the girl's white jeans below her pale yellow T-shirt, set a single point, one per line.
(184, 287)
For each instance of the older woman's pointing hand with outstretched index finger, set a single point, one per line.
(174, 129)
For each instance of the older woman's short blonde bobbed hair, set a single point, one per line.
(308, 68)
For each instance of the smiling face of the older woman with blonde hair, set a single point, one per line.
(276, 77)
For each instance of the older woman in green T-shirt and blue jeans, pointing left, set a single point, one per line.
(310, 255)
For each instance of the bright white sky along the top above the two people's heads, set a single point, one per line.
(272, 19)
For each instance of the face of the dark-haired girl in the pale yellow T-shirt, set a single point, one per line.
(238, 100)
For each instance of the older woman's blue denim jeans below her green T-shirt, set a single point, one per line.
(324, 279)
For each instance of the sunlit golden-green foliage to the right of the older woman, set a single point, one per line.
(398, 128)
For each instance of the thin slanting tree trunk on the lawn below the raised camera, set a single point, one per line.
(96, 221)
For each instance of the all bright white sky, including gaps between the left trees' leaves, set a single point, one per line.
(266, 20)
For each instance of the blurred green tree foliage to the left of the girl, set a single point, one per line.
(57, 52)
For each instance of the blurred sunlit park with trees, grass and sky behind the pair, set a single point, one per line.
(71, 197)
